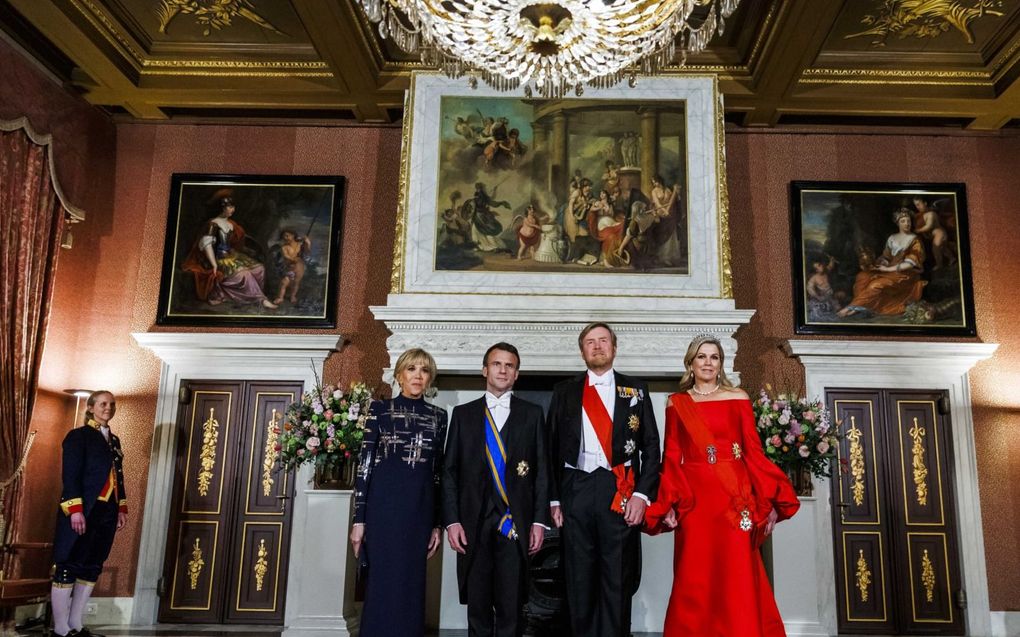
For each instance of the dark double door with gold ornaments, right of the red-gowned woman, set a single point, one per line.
(897, 558)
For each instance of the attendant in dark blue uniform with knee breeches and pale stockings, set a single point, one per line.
(93, 508)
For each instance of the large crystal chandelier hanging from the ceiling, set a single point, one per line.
(549, 47)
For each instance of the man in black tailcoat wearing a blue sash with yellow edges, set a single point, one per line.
(496, 497)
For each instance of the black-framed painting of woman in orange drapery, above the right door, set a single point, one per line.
(882, 259)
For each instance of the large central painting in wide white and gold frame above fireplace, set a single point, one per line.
(618, 189)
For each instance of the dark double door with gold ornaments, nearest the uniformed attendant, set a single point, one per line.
(229, 539)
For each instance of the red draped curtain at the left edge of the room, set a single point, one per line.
(31, 225)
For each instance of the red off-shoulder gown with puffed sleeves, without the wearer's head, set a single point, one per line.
(720, 585)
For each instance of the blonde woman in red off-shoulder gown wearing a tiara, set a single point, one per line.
(723, 498)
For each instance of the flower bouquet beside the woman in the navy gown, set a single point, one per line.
(326, 428)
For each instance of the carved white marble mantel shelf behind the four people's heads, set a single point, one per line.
(653, 332)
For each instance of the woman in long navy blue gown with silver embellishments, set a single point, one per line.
(396, 501)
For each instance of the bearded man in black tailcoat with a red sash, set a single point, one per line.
(605, 465)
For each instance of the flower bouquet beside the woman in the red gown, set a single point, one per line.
(797, 435)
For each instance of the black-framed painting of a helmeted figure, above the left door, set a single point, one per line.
(252, 251)
